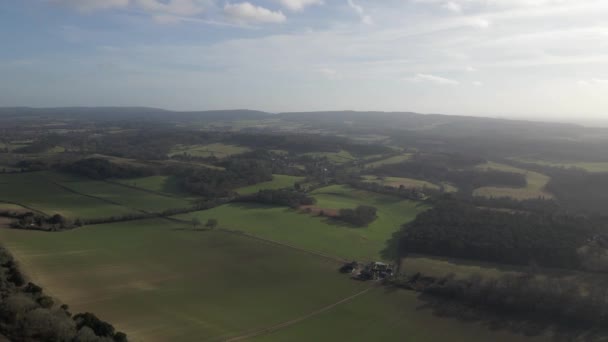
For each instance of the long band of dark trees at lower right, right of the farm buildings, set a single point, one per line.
(527, 296)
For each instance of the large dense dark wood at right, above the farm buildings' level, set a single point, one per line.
(461, 230)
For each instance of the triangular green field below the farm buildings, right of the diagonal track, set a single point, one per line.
(389, 315)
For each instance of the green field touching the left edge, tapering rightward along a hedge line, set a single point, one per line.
(35, 191)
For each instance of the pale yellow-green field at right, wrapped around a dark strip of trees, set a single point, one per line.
(535, 188)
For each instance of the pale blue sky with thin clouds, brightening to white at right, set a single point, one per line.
(534, 59)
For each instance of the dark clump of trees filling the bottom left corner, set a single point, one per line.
(27, 314)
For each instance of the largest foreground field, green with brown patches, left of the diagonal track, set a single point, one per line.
(159, 283)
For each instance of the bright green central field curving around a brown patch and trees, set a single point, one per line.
(320, 234)
